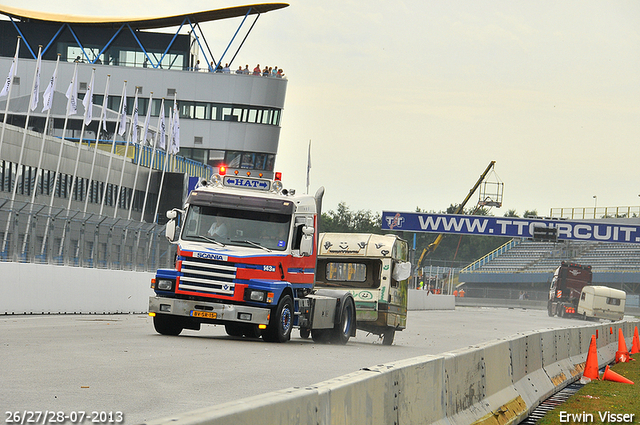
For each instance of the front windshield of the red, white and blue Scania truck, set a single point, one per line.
(237, 227)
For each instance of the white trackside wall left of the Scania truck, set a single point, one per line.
(27, 288)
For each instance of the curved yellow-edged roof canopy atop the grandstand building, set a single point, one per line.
(141, 23)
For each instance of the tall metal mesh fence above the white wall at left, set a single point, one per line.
(35, 233)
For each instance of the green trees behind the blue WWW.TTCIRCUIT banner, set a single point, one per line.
(454, 250)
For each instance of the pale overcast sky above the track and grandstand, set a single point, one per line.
(407, 102)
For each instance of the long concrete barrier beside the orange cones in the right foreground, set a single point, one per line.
(499, 382)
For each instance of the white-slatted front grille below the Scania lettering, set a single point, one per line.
(211, 277)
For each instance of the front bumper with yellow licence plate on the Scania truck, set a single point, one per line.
(216, 312)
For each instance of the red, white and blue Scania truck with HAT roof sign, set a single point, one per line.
(246, 259)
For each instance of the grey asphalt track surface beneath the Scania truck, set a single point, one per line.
(117, 363)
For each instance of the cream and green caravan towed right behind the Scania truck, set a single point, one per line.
(374, 269)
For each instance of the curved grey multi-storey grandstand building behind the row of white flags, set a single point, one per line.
(224, 117)
